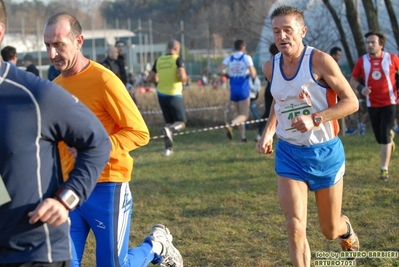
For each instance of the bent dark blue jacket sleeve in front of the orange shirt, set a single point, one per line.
(78, 127)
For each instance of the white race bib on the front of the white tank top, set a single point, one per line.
(292, 110)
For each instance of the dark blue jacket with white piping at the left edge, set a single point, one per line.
(35, 114)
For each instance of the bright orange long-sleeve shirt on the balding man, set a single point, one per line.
(106, 96)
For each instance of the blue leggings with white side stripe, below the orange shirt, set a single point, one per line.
(107, 213)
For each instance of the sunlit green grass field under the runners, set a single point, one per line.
(218, 198)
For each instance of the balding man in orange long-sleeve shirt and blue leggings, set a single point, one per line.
(108, 210)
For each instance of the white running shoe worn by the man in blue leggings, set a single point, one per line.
(171, 256)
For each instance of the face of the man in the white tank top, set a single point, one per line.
(288, 33)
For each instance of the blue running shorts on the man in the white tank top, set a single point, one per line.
(319, 166)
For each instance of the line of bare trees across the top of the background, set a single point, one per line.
(209, 24)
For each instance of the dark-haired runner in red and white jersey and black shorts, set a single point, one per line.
(377, 68)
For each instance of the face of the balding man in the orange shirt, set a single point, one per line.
(62, 47)
